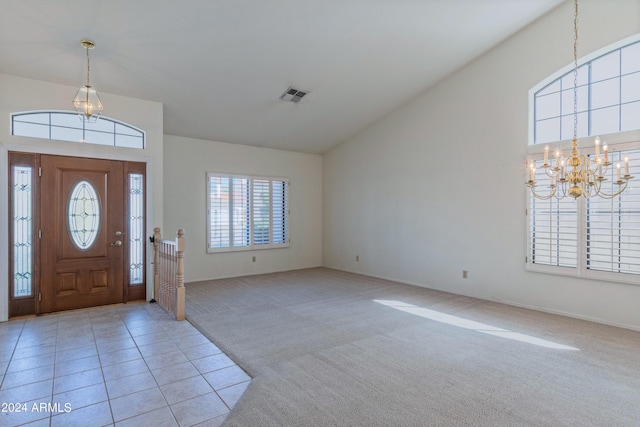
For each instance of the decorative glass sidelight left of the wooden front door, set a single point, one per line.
(22, 231)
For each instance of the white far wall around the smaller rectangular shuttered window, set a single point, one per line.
(186, 163)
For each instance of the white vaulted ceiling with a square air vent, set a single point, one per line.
(219, 66)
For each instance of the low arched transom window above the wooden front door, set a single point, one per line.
(65, 126)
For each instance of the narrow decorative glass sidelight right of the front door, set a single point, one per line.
(136, 229)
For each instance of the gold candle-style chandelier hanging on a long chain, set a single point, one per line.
(578, 175)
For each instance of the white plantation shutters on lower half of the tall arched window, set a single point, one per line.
(593, 237)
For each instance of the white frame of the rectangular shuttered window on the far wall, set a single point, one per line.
(252, 246)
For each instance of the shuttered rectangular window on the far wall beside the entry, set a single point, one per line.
(247, 213)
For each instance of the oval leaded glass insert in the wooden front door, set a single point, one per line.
(84, 215)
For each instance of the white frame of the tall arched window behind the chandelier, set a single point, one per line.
(621, 141)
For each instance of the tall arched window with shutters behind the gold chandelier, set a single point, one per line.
(592, 238)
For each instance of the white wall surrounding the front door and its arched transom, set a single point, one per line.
(19, 94)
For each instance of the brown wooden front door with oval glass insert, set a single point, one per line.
(82, 225)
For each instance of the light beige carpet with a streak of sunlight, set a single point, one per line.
(323, 352)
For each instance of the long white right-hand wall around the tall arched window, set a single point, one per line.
(437, 187)
